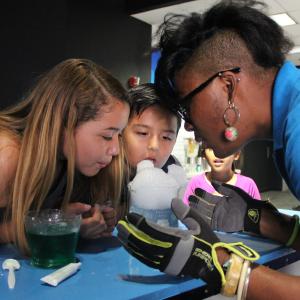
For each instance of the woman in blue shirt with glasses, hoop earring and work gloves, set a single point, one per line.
(225, 72)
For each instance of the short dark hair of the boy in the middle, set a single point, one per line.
(144, 96)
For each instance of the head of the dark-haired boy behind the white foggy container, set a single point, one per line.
(151, 130)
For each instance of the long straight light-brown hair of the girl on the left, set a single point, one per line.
(69, 94)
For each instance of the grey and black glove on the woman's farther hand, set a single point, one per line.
(234, 211)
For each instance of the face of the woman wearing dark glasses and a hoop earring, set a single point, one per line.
(207, 111)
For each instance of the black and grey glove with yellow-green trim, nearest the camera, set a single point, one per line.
(179, 252)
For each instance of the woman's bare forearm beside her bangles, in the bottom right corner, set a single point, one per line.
(267, 284)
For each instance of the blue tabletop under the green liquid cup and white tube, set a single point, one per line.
(102, 263)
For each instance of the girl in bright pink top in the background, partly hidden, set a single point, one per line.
(223, 170)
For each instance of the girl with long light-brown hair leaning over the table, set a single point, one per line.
(59, 148)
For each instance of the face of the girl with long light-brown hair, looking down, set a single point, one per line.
(97, 140)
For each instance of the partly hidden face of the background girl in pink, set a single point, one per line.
(219, 165)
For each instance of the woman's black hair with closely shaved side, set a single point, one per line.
(230, 34)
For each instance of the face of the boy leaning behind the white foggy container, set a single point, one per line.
(151, 135)
